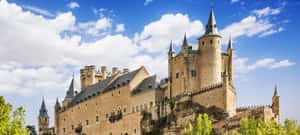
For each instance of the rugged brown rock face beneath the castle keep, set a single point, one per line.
(185, 112)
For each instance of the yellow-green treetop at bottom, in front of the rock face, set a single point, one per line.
(202, 126)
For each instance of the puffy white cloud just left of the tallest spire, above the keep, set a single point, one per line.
(157, 35)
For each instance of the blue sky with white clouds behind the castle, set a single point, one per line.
(43, 42)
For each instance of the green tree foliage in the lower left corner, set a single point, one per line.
(12, 123)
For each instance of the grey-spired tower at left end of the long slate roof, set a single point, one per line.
(70, 93)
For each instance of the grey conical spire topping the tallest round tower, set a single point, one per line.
(211, 26)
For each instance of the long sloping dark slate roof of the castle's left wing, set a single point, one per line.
(102, 86)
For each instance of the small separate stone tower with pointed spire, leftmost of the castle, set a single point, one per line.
(43, 119)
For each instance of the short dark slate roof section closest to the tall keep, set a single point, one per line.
(147, 84)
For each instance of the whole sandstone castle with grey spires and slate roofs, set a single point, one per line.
(112, 102)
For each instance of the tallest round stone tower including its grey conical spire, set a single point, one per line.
(210, 54)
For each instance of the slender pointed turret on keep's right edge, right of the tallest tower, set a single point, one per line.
(230, 62)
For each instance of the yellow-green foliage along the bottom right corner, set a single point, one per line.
(258, 127)
